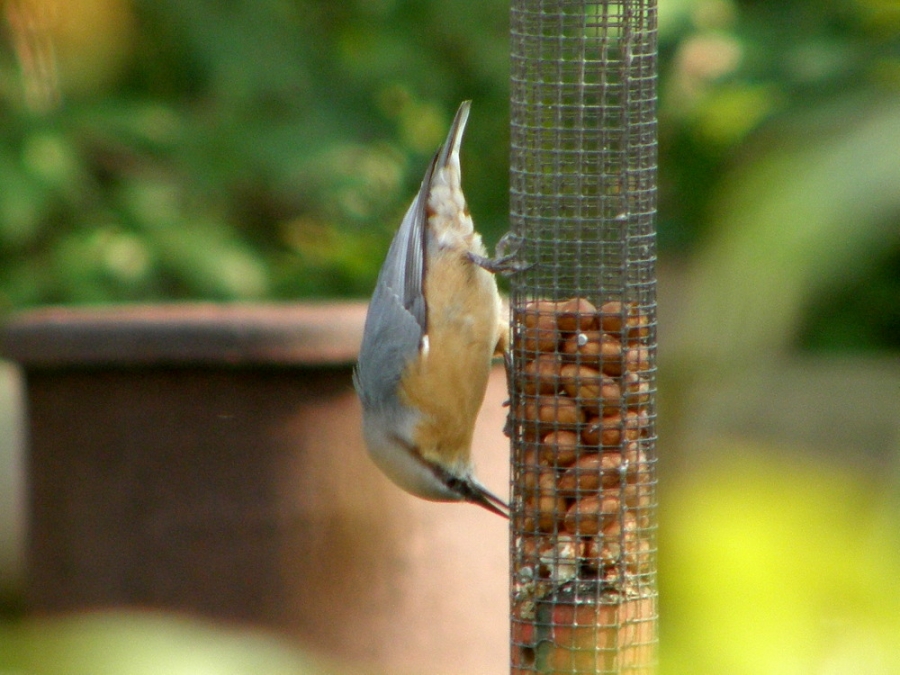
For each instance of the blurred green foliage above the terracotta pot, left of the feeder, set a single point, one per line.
(238, 150)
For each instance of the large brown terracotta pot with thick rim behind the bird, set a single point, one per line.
(208, 459)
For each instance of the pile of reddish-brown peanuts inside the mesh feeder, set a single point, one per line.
(582, 417)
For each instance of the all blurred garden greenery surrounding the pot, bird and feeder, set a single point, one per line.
(266, 149)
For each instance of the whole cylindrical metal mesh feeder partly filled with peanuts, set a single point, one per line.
(583, 367)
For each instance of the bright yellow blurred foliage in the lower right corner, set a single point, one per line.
(778, 563)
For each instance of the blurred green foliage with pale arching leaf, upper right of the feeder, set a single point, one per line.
(779, 124)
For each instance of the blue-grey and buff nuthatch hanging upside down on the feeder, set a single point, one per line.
(433, 325)
